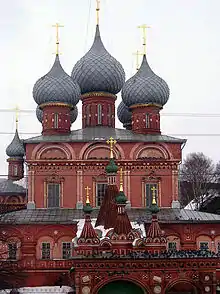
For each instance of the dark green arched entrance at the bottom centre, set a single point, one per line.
(121, 287)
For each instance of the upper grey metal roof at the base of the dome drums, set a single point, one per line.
(100, 133)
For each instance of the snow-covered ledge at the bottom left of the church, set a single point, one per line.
(41, 290)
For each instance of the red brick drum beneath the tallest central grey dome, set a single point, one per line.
(98, 110)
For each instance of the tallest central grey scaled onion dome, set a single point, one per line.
(98, 71)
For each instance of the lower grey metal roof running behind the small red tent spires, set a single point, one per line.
(70, 216)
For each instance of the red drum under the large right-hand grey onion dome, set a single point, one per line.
(146, 119)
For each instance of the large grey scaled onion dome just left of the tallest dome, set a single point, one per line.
(56, 86)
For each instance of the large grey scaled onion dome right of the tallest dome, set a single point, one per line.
(145, 87)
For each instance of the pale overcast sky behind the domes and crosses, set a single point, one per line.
(183, 47)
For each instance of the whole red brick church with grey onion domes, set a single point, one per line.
(81, 223)
